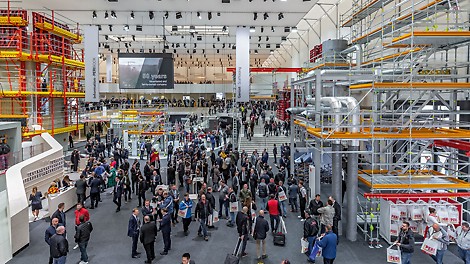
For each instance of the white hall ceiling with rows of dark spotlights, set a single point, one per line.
(236, 13)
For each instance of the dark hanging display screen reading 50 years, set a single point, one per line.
(146, 71)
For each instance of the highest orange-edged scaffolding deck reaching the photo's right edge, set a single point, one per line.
(434, 38)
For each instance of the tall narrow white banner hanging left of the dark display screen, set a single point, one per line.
(92, 74)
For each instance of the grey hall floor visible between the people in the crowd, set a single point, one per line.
(109, 243)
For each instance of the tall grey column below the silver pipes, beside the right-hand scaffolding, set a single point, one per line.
(351, 193)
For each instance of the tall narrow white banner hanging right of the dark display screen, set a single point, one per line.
(242, 72)
